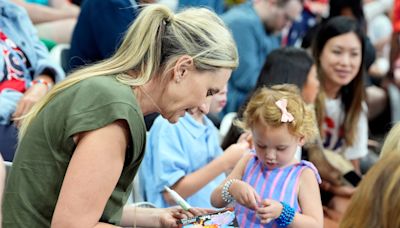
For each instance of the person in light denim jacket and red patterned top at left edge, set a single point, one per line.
(27, 73)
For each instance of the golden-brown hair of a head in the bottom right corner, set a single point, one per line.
(376, 201)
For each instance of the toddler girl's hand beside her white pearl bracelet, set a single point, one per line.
(244, 194)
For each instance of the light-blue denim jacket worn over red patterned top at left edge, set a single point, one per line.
(16, 24)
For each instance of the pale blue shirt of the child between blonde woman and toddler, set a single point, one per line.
(176, 150)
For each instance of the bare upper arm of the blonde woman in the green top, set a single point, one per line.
(91, 177)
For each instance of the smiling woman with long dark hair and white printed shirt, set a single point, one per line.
(341, 109)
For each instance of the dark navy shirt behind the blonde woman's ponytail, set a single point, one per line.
(100, 28)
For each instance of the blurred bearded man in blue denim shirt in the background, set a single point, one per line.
(256, 26)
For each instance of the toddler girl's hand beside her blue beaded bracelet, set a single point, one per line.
(269, 209)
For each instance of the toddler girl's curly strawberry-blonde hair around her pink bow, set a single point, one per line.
(262, 109)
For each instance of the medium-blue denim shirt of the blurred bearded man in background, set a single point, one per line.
(254, 44)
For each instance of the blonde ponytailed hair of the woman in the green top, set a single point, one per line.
(153, 44)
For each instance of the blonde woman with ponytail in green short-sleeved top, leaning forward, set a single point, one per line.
(74, 168)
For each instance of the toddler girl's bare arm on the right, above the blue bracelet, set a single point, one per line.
(310, 202)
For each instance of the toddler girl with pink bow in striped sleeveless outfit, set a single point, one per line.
(270, 186)
